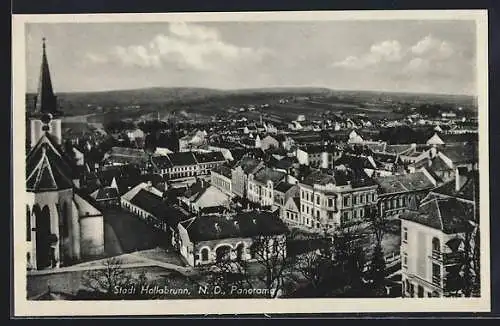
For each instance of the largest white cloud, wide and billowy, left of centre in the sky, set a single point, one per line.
(186, 45)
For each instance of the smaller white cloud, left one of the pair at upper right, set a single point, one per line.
(386, 51)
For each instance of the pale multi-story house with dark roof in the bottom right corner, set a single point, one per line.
(437, 236)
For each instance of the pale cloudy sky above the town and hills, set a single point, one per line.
(403, 56)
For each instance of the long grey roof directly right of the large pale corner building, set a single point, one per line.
(404, 183)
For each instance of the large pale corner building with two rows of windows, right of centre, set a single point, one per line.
(336, 199)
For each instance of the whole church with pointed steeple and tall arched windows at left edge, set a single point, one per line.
(63, 226)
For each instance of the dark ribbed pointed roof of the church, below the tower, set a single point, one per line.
(48, 168)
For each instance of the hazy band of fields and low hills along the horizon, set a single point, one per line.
(202, 103)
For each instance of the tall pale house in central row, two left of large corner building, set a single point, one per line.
(261, 186)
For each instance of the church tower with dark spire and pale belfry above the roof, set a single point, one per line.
(46, 116)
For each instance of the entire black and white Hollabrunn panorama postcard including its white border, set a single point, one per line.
(261, 162)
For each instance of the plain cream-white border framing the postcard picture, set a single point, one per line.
(23, 307)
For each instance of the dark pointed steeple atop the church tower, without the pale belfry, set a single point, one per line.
(45, 100)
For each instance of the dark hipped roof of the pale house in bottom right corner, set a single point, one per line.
(447, 214)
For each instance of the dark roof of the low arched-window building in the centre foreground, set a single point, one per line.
(246, 224)
